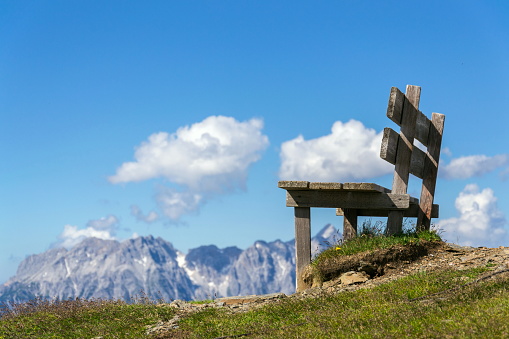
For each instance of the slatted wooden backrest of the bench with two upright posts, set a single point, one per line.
(399, 150)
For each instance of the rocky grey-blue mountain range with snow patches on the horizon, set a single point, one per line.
(109, 269)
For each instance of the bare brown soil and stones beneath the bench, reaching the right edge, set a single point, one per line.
(397, 262)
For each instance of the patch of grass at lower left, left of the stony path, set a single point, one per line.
(81, 318)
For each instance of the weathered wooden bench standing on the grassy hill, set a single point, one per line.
(352, 200)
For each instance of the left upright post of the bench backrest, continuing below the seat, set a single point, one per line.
(404, 153)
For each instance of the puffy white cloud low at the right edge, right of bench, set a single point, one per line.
(480, 223)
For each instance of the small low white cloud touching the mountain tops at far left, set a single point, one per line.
(103, 228)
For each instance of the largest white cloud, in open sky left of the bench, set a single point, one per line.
(209, 157)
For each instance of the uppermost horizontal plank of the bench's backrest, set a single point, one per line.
(395, 112)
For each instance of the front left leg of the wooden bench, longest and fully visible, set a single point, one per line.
(302, 243)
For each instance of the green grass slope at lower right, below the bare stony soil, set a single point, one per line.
(477, 310)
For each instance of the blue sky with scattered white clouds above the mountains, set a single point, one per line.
(177, 119)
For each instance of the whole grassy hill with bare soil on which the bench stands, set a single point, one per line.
(459, 297)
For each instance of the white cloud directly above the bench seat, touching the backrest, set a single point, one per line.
(350, 153)
